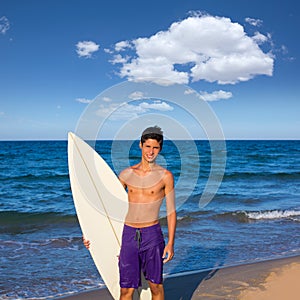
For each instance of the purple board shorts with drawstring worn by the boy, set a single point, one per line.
(141, 251)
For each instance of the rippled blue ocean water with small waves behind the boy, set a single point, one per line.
(254, 216)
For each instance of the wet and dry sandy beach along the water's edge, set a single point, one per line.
(268, 280)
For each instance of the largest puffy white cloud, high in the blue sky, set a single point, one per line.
(213, 49)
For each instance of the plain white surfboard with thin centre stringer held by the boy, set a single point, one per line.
(101, 206)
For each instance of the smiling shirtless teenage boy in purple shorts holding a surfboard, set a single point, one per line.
(143, 246)
